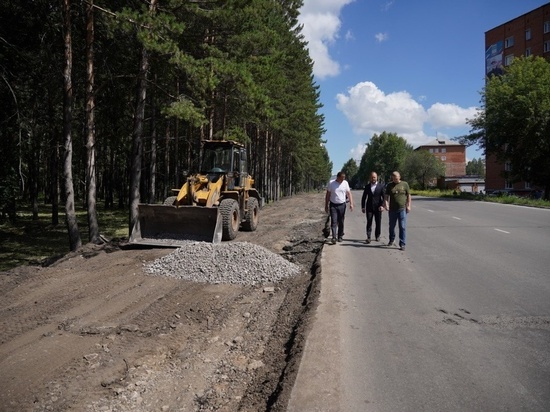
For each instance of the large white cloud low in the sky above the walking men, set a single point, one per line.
(371, 111)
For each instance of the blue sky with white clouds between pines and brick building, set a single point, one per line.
(415, 68)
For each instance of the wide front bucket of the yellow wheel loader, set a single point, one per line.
(170, 226)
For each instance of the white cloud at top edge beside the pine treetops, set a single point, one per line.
(321, 26)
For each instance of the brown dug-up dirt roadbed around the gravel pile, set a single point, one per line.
(94, 332)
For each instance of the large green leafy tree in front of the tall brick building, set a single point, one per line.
(514, 120)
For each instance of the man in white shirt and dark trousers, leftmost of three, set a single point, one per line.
(338, 192)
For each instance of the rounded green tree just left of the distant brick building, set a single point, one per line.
(422, 168)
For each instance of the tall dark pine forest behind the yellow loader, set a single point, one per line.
(105, 104)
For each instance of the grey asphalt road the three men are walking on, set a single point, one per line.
(460, 321)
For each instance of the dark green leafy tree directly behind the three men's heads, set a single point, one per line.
(384, 154)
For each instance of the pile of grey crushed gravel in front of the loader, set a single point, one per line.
(240, 263)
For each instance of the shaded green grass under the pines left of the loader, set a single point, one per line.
(33, 242)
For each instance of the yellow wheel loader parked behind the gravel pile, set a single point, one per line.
(211, 206)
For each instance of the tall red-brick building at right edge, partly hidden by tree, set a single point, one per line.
(526, 35)
